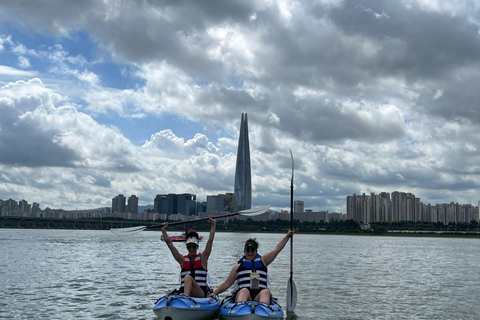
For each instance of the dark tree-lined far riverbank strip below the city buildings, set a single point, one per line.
(348, 227)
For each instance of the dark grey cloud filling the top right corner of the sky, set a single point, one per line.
(434, 50)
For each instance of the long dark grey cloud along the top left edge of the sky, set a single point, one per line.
(136, 31)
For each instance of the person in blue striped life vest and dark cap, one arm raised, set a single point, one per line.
(250, 273)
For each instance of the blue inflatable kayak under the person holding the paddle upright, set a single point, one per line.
(250, 310)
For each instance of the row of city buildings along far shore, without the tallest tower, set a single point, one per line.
(365, 208)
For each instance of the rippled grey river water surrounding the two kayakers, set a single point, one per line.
(86, 274)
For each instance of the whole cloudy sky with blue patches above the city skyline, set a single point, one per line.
(99, 98)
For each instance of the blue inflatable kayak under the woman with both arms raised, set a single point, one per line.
(179, 307)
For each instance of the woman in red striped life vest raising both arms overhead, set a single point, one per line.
(194, 278)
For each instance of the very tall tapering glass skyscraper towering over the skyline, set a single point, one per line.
(243, 174)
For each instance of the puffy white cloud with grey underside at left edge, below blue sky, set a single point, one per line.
(34, 133)
